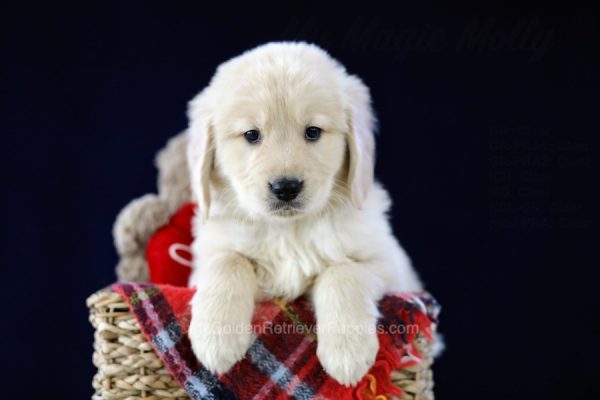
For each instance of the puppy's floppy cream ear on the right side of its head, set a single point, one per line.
(360, 139)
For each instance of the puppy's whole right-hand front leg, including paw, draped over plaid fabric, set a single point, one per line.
(345, 298)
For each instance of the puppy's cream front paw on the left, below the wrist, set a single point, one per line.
(219, 343)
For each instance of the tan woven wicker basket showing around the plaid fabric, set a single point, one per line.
(129, 369)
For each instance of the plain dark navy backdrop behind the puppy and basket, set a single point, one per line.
(486, 146)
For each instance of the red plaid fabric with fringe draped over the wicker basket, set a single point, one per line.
(281, 362)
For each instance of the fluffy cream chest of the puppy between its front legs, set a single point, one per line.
(286, 263)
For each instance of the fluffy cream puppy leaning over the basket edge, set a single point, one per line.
(281, 153)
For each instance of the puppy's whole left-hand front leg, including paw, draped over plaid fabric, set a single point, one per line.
(220, 329)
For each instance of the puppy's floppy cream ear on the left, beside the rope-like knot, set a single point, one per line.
(200, 152)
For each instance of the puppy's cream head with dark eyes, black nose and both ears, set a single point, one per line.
(284, 130)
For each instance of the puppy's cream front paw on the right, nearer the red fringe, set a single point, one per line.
(347, 353)
